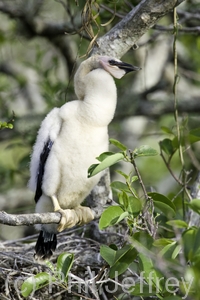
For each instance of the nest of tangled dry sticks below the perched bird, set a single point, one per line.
(87, 276)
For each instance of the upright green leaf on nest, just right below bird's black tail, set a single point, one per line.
(64, 264)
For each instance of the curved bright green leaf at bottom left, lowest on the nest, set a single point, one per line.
(36, 282)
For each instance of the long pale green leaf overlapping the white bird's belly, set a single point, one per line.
(107, 162)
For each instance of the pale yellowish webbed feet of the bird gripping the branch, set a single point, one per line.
(71, 217)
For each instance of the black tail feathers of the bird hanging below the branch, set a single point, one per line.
(45, 245)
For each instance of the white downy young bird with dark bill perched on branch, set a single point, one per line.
(68, 142)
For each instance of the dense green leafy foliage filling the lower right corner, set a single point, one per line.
(162, 247)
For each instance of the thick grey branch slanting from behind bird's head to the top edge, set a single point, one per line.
(127, 32)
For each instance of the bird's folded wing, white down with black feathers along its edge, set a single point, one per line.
(47, 134)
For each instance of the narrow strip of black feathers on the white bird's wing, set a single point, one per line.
(43, 157)
